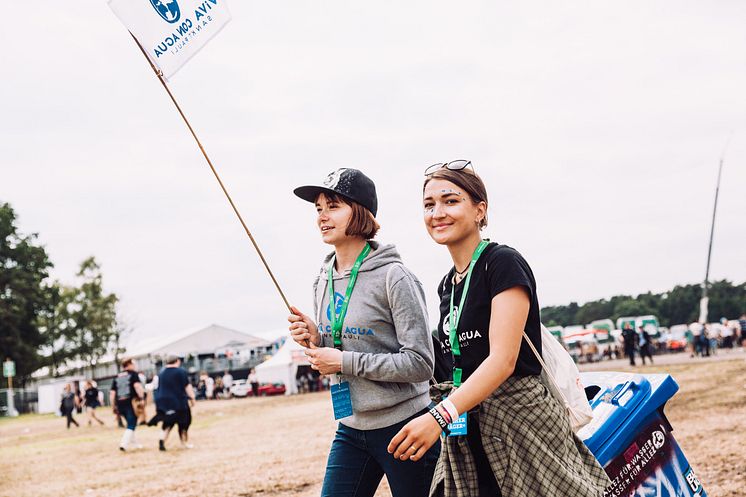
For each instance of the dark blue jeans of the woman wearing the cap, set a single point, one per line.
(358, 460)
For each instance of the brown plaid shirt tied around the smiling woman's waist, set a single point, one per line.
(529, 444)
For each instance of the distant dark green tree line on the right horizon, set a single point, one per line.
(677, 306)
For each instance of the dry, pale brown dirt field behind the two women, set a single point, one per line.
(278, 446)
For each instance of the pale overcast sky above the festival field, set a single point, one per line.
(597, 126)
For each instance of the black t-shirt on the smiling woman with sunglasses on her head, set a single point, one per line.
(498, 268)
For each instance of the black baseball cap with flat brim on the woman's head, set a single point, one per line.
(349, 183)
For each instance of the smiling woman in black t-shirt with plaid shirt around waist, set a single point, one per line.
(518, 439)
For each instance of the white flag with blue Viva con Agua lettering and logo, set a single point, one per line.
(172, 31)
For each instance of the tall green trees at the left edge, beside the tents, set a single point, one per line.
(45, 322)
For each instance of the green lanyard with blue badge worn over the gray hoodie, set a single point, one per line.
(341, 397)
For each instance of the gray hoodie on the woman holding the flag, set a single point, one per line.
(387, 351)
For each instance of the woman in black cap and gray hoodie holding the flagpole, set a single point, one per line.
(369, 331)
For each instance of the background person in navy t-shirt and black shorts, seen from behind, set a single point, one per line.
(174, 397)
